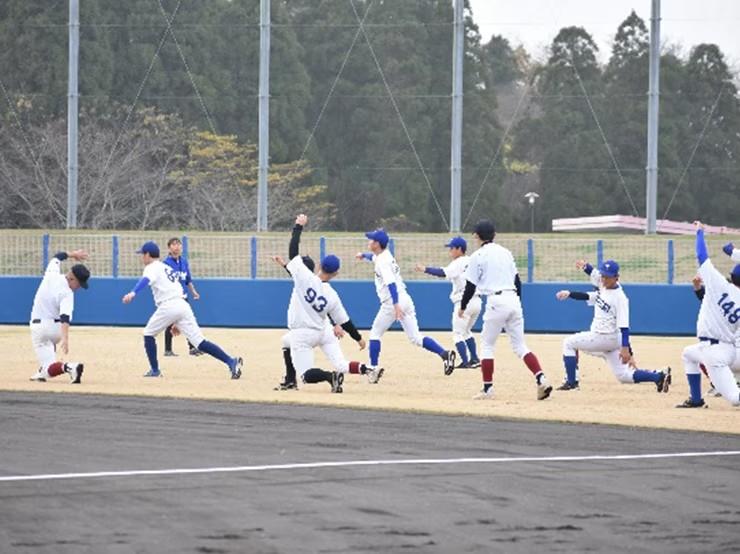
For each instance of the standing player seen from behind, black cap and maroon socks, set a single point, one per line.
(492, 273)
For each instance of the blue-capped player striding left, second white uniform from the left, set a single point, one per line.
(171, 310)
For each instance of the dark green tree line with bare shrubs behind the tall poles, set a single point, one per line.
(360, 118)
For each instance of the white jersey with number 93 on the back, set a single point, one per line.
(311, 302)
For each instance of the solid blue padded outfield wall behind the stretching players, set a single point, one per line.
(655, 309)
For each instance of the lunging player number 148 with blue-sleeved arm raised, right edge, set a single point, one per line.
(717, 329)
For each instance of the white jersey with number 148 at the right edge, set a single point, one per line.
(719, 316)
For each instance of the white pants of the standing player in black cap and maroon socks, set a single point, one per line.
(503, 311)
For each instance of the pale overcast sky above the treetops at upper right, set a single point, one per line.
(534, 23)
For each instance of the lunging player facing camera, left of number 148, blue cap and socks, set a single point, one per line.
(609, 335)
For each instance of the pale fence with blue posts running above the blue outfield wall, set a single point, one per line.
(541, 258)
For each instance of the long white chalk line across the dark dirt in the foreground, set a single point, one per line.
(362, 463)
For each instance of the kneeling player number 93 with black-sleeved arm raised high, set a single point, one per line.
(312, 302)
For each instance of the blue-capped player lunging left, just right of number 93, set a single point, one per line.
(395, 303)
